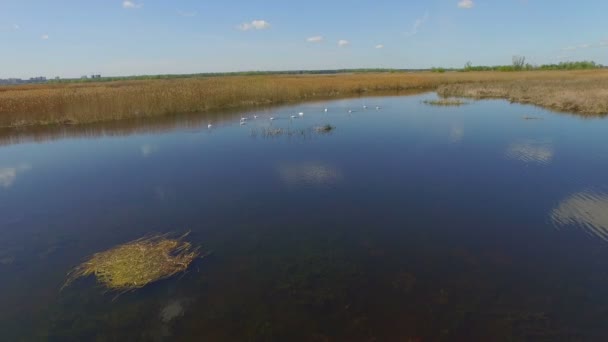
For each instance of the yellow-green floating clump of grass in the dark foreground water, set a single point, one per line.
(138, 263)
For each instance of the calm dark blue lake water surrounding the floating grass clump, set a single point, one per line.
(409, 223)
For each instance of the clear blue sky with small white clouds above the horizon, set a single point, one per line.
(71, 38)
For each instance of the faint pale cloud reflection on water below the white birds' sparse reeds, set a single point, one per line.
(314, 173)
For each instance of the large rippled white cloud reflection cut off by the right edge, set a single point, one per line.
(587, 209)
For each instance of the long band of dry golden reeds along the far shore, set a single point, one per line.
(80, 103)
